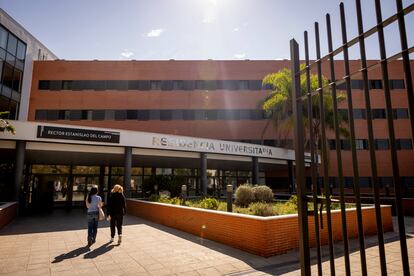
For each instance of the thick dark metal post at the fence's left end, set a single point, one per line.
(300, 160)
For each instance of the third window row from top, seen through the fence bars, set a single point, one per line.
(380, 144)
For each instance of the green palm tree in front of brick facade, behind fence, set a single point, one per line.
(278, 104)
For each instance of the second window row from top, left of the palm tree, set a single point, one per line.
(153, 114)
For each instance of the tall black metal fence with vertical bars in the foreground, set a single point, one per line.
(303, 107)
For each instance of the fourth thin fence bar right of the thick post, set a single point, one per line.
(351, 119)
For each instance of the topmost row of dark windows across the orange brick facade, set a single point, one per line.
(168, 85)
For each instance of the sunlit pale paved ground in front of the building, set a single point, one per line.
(54, 244)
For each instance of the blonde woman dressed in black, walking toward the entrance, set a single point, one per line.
(116, 211)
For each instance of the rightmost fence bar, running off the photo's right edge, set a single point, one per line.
(406, 63)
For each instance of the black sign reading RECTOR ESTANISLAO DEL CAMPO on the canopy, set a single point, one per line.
(77, 134)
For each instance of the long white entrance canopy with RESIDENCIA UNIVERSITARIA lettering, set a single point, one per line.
(65, 144)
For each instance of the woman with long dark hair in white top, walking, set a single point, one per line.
(93, 203)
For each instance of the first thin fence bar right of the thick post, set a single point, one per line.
(313, 159)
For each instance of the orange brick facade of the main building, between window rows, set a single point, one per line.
(211, 99)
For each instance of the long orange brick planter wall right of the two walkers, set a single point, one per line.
(264, 236)
